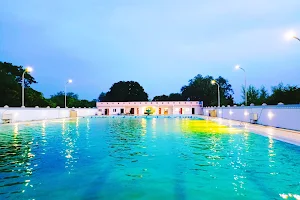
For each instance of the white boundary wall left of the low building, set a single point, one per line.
(33, 114)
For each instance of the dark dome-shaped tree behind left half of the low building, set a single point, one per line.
(126, 91)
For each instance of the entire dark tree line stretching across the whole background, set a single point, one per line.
(198, 88)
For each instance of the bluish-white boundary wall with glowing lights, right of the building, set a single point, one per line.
(282, 116)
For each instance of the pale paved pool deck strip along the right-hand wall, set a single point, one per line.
(285, 135)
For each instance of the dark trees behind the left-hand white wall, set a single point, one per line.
(11, 91)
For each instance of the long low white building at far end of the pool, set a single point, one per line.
(156, 107)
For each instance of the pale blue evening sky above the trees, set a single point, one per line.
(159, 43)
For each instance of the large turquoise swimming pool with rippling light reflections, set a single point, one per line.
(143, 158)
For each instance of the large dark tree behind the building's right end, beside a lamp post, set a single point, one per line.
(201, 89)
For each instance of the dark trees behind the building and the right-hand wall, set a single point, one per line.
(200, 88)
